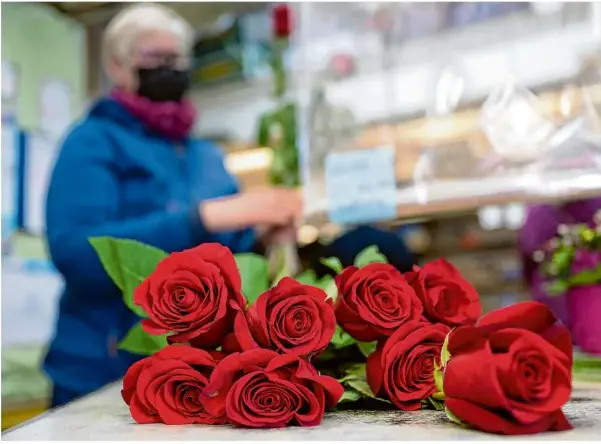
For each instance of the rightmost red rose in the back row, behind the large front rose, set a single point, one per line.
(445, 294)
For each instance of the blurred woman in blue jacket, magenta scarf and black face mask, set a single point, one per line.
(131, 170)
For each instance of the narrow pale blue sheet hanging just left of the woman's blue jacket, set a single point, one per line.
(41, 154)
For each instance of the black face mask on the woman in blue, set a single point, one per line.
(163, 84)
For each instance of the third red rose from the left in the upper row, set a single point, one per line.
(374, 301)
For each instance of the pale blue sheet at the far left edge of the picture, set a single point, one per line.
(9, 175)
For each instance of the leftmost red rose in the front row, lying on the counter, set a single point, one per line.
(167, 387)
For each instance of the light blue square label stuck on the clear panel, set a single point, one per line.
(361, 185)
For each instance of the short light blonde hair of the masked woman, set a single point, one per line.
(133, 21)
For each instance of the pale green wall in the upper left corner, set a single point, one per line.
(42, 43)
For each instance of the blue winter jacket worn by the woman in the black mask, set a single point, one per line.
(115, 178)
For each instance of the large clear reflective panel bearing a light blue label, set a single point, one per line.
(409, 109)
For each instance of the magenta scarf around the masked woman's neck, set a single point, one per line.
(173, 120)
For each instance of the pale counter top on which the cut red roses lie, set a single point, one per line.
(103, 415)
